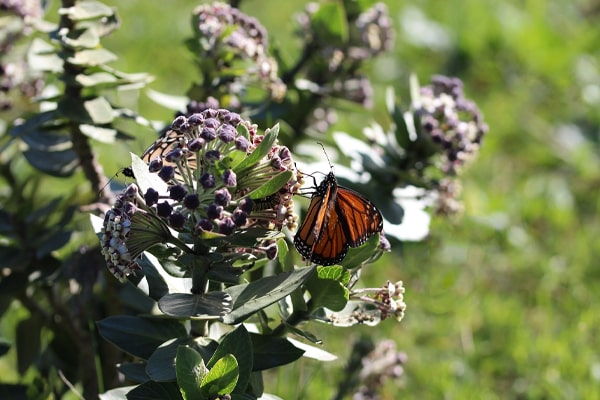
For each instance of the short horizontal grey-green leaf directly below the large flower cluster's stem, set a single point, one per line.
(212, 305)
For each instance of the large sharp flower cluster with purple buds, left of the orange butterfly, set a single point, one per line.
(219, 180)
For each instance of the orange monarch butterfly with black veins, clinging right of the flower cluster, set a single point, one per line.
(337, 218)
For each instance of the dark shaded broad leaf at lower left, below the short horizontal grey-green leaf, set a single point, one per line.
(139, 336)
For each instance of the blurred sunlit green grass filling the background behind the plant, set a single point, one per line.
(502, 300)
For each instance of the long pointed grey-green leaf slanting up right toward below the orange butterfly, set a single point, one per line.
(254, 296)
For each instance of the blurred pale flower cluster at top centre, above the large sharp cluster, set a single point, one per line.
(227, 35)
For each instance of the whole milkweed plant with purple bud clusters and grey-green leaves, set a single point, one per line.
(209, 290)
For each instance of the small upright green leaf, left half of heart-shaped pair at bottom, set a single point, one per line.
(190, 371)
